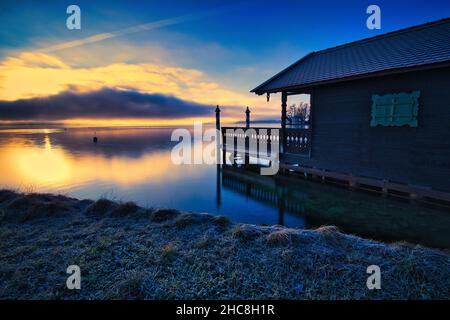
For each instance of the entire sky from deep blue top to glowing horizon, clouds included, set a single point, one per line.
(170, 62)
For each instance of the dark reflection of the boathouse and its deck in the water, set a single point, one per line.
(359, 213)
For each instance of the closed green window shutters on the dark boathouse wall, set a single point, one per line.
(398, 109)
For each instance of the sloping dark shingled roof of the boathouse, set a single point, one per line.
(416, 46)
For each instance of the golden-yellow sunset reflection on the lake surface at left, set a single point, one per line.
(33, 165)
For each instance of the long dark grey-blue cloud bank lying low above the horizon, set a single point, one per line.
(102, 104)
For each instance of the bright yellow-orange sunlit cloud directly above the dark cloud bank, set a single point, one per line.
(30, 74)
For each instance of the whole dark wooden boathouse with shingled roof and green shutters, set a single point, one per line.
(380, 113)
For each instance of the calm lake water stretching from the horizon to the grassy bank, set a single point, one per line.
(134, 164)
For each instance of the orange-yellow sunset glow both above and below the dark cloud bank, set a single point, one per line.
(29, 75)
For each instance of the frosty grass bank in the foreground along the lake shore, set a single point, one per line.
(128, 252)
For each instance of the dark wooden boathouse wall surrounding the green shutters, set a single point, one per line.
(344, 142)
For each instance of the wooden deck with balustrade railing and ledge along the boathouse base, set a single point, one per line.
(246, 142)
